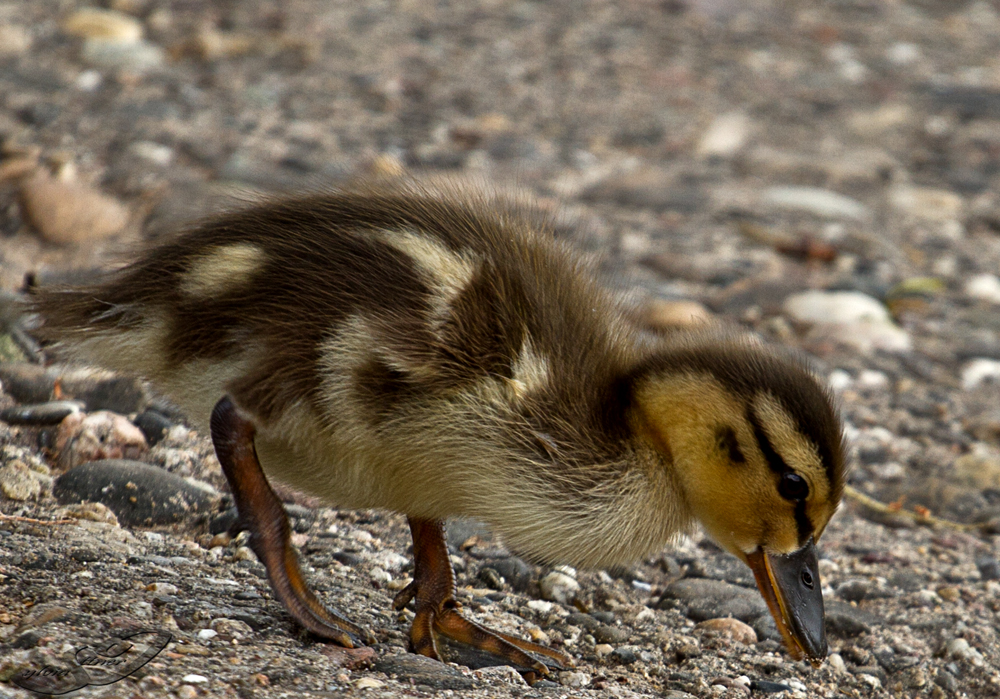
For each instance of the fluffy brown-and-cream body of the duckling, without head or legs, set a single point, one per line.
(399, 350)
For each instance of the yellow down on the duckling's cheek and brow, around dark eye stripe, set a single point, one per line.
(737, 501)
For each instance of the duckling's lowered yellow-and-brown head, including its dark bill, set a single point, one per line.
(757, 455)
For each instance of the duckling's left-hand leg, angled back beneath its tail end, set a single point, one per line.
(261, 512)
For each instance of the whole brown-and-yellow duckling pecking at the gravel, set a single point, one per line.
(444, 355)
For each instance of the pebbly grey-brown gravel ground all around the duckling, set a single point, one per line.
(824, 174)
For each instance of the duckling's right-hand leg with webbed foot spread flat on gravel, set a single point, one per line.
(433, 587)
